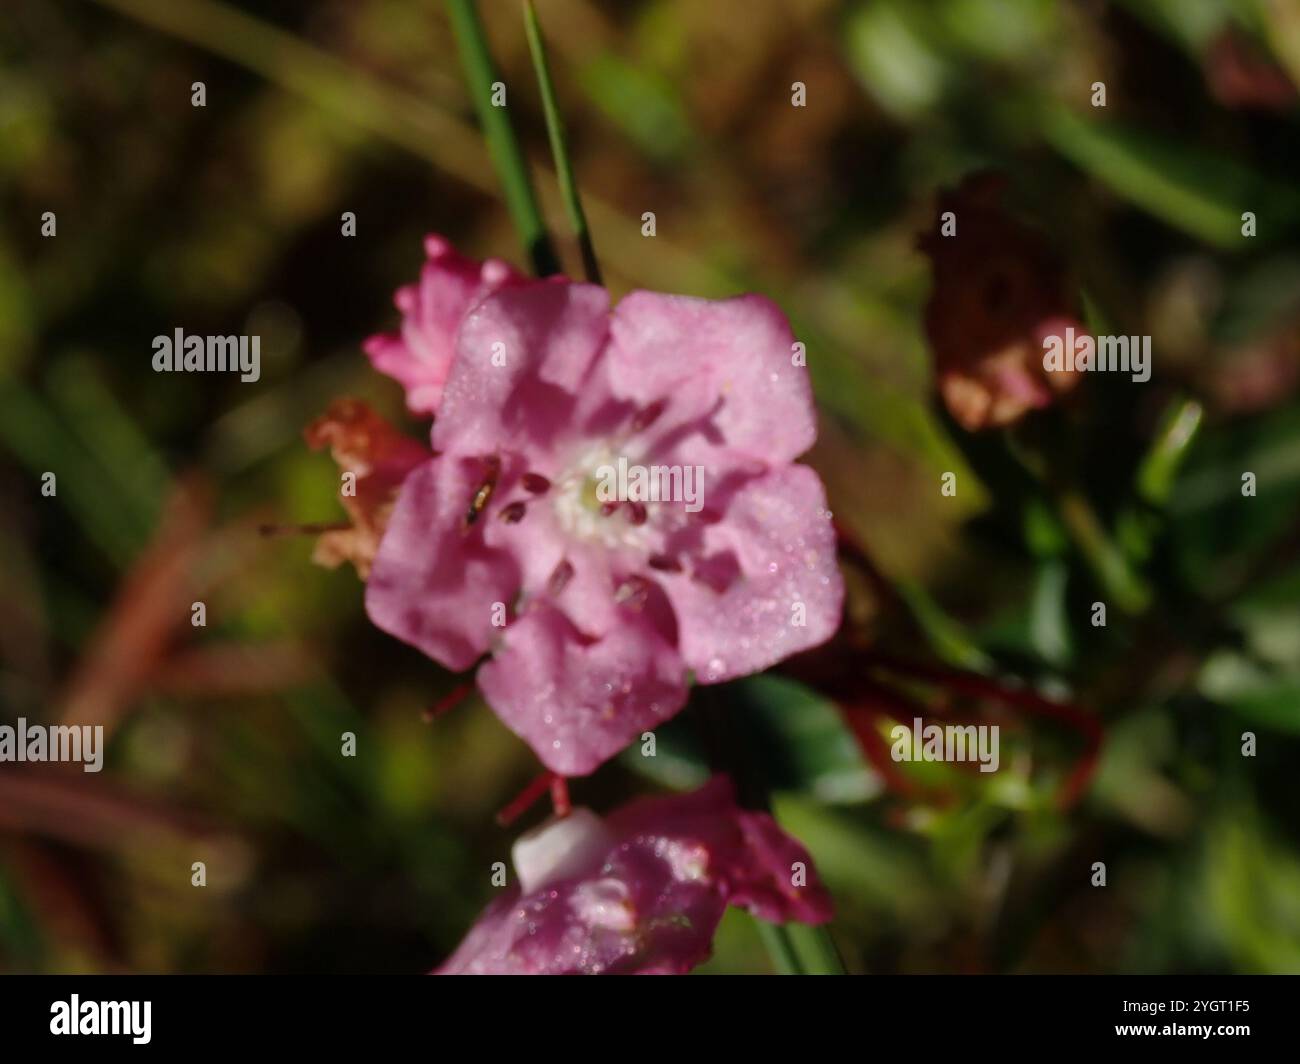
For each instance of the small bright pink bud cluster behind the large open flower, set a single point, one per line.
(419, 357)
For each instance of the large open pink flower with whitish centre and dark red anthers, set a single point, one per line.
(595, 607)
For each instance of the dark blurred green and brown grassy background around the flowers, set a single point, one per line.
(224, 742)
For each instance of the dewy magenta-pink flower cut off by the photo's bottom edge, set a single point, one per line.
(640, 893)
